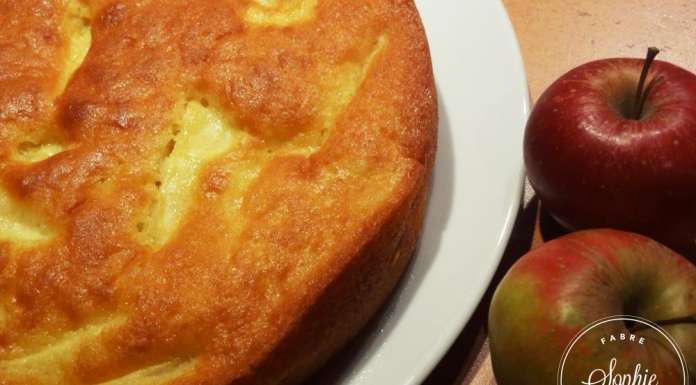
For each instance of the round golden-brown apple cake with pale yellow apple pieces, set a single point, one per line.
(204, 192)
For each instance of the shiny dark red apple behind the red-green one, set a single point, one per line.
(594, 168)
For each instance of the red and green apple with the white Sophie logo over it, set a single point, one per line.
(557, 289)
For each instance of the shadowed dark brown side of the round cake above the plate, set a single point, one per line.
(349, 301)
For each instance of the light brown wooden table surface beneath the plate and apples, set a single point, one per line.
(555, 36)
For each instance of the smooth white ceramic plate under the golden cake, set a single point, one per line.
(476, 191)
